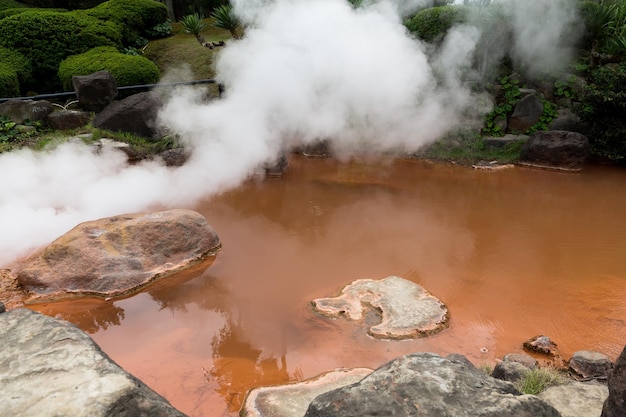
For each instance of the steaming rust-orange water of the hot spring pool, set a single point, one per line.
(513, 253)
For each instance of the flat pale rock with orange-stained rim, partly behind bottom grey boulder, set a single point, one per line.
(292, 400)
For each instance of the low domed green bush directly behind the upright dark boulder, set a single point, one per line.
(126, 69)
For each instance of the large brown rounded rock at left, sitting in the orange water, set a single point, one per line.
(118, 255)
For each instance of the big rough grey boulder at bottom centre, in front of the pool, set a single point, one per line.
(426, 384)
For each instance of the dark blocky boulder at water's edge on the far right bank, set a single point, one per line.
(558, 149)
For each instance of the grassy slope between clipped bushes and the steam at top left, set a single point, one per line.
(169, 53)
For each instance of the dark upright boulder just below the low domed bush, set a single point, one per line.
(95, 91)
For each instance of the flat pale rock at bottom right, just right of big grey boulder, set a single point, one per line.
(576, 399)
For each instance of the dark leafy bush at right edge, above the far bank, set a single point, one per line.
(603, 109)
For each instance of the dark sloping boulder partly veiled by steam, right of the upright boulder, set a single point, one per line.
(136, 114)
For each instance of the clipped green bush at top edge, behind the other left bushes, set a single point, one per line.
(136, 17)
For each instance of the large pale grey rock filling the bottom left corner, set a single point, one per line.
(51, 368)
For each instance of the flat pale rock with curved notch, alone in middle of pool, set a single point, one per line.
(407, 309)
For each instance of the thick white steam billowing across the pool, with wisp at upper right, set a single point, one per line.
(305, 71)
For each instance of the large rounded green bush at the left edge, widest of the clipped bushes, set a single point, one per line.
(46, 38)
